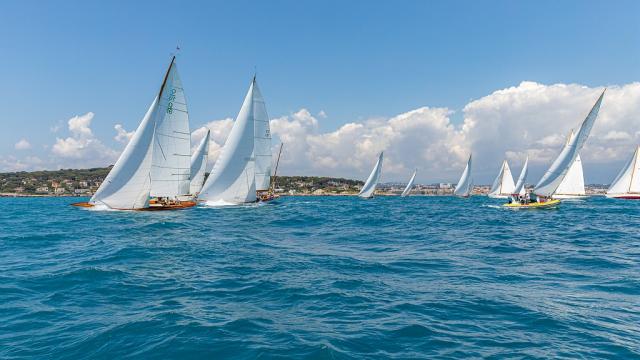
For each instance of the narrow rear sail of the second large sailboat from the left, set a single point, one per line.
(262, 150)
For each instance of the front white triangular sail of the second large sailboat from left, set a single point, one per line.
(233, 178)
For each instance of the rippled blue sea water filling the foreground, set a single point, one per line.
(321, 278)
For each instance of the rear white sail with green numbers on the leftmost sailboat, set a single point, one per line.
(170, 170)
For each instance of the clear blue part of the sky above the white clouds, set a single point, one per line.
(354, 60)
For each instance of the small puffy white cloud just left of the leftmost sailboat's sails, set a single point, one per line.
(82, 148)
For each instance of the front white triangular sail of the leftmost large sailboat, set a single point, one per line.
(128, 184)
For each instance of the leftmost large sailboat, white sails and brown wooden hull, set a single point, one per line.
(153, 171)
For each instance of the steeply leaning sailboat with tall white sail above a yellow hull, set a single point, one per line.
(547, 186)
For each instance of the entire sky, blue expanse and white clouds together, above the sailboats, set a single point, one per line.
(428, 82)
